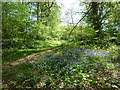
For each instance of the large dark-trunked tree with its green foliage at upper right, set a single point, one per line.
(104, 19)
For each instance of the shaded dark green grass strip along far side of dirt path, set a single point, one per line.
(13, 56)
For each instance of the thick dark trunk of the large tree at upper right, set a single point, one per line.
(95, 16)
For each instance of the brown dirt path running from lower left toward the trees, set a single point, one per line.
(11, 69)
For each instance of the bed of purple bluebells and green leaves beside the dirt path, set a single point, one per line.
(68, 68)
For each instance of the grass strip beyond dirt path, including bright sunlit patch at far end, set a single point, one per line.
(11, 55)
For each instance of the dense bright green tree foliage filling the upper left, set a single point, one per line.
(21, 30)
